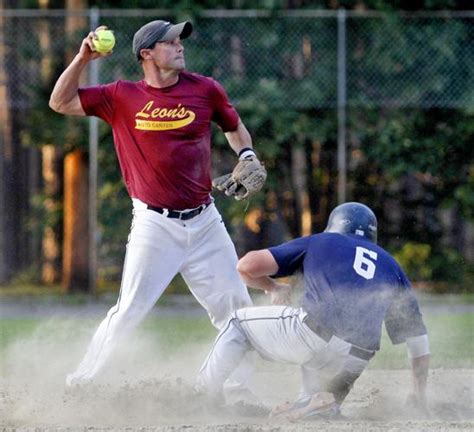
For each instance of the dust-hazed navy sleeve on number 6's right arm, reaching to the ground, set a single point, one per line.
(403, 319)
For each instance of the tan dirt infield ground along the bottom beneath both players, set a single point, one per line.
(375, 404)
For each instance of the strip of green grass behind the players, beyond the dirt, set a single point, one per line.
(451, 339)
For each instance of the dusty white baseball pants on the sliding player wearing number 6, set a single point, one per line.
(279, 334)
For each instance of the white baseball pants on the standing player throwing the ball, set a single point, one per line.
(158, 248)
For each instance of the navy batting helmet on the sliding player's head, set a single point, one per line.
(353, 218)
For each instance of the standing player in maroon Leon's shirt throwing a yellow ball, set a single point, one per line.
(162, 134)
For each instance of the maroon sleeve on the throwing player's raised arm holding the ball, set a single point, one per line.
(99, 100)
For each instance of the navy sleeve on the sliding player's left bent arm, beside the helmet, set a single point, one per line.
(290, 256)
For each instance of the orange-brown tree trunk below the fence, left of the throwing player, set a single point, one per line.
(76, 226)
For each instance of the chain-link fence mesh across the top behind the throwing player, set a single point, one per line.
(423, 60)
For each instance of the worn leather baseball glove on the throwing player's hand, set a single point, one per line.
(246, 179)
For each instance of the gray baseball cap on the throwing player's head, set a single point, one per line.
(159, 31)
